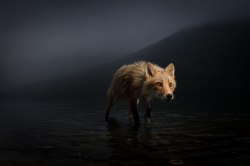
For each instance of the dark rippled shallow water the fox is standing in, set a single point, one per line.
(68, 133)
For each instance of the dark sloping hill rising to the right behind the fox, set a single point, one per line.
(212, 68)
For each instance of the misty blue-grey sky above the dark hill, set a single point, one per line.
(35, 32)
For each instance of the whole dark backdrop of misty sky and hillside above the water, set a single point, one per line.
(71, 49)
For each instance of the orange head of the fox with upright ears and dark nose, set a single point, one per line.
(160, 82)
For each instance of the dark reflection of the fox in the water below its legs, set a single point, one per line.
(132, 146)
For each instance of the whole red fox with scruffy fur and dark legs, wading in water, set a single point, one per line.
(141, 80)
